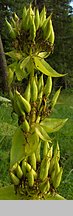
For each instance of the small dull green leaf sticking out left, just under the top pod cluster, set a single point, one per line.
(14, 55)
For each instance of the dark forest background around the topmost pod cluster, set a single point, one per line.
(62, 57)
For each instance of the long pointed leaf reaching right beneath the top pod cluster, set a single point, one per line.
(45, 68)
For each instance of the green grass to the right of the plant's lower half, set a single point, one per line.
(64, 109)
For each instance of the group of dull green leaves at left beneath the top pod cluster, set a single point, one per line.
(20, 68)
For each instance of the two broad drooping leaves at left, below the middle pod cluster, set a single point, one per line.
(23, 147)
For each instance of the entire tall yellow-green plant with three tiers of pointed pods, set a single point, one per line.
(35, 170)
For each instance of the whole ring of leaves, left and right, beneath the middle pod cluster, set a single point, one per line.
(23, 147)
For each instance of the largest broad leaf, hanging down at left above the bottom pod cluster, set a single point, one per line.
(18, 147)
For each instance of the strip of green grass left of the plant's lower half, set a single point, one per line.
(7, 129)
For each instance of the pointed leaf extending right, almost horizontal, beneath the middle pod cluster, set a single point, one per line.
(51, 125)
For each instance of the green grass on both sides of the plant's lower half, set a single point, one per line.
(63, 109)
